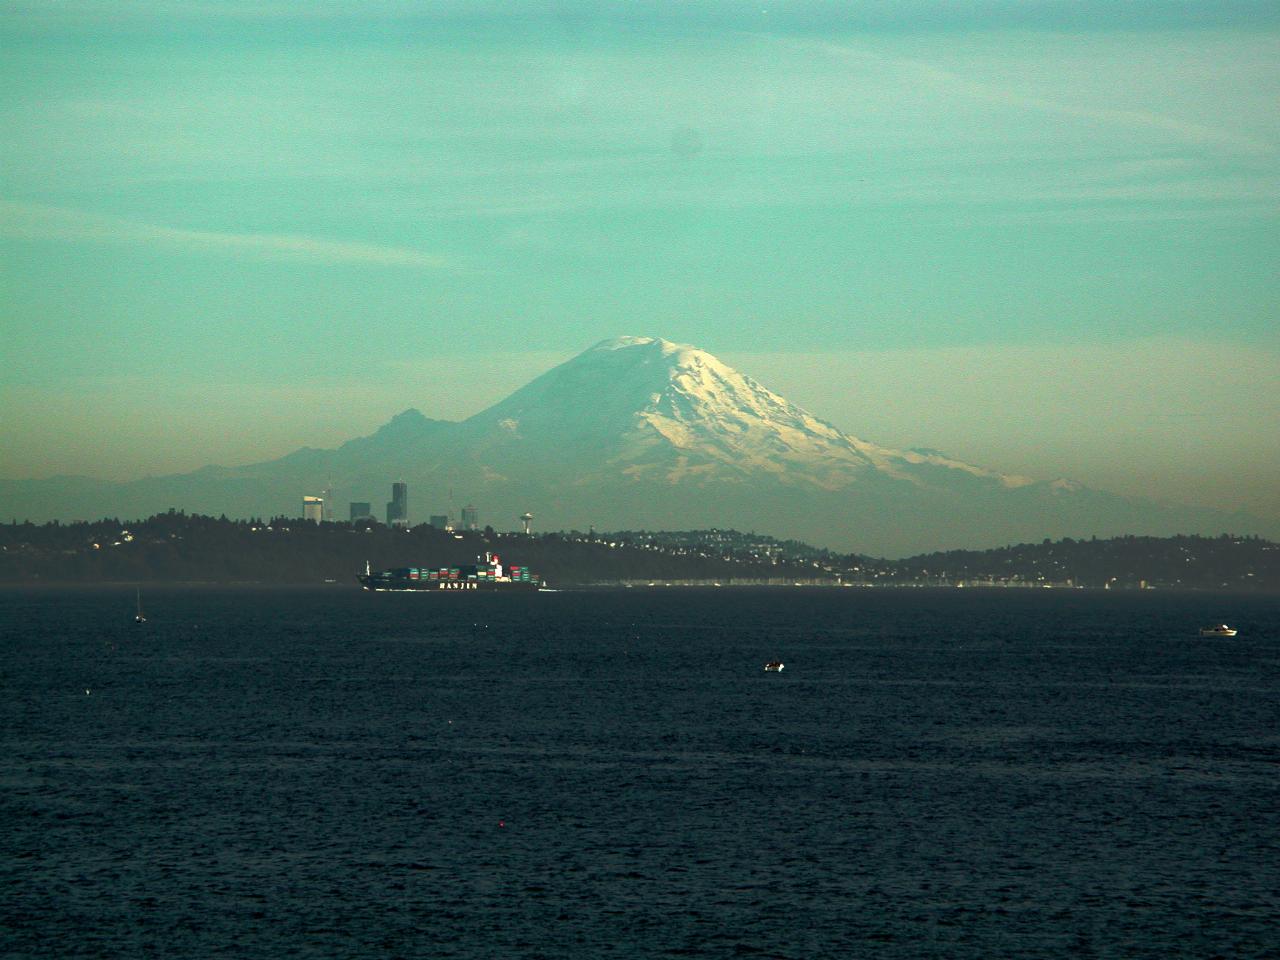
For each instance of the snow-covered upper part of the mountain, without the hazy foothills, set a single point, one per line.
(670, 413)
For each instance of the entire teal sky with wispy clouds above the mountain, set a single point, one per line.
(1041, 236)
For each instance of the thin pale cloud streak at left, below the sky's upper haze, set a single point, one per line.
(40, 222)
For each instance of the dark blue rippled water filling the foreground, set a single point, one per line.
(936, 774)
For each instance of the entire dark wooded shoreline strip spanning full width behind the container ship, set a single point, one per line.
(176, 547)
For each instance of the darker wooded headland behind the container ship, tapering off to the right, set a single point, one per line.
(185, 548)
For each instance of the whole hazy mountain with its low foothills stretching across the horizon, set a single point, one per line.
(642, 433)
